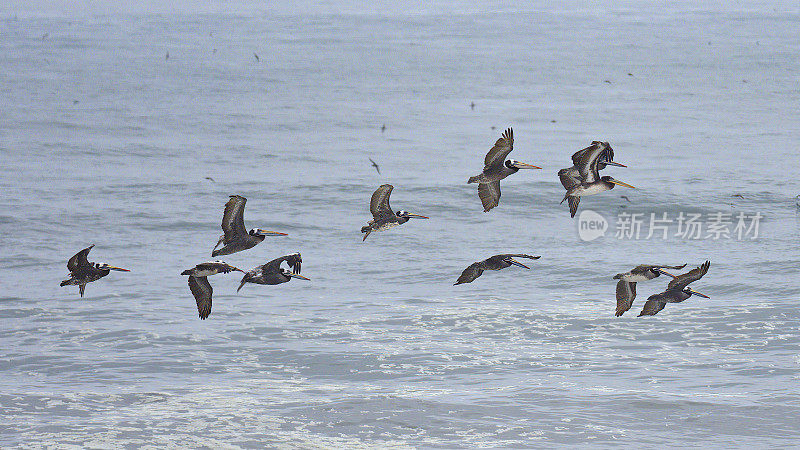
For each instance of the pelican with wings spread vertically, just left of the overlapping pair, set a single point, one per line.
(495, 169)
